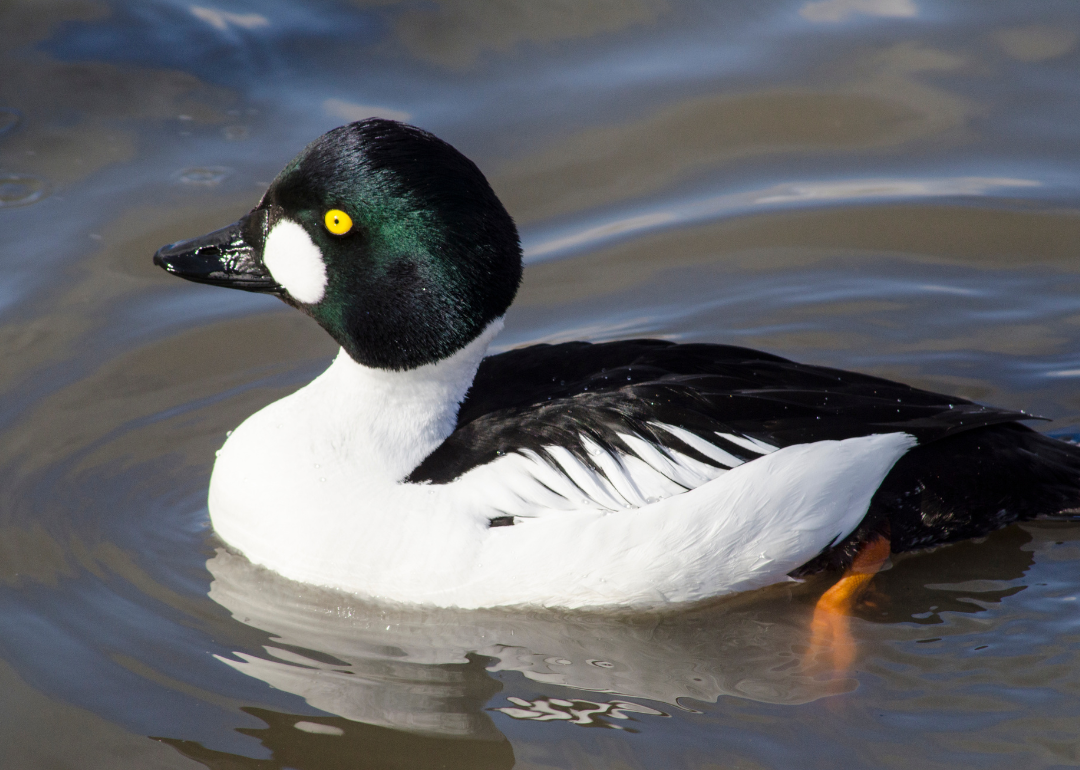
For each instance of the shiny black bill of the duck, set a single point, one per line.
(225, 258)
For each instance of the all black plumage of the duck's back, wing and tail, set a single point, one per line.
(976, 468)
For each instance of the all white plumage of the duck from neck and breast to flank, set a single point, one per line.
(310, 488)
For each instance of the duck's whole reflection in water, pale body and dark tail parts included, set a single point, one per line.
(384, 671)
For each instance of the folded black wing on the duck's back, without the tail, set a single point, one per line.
(574, 394)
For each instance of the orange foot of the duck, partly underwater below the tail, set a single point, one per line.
(831, 628)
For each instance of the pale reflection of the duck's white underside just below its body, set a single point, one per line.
(407, 668)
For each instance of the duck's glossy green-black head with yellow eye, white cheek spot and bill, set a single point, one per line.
(388, 237)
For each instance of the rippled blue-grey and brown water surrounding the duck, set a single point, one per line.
(890, 186)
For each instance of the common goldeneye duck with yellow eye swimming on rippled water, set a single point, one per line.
(633, 474)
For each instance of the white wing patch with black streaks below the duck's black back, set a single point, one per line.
(526, 485)
